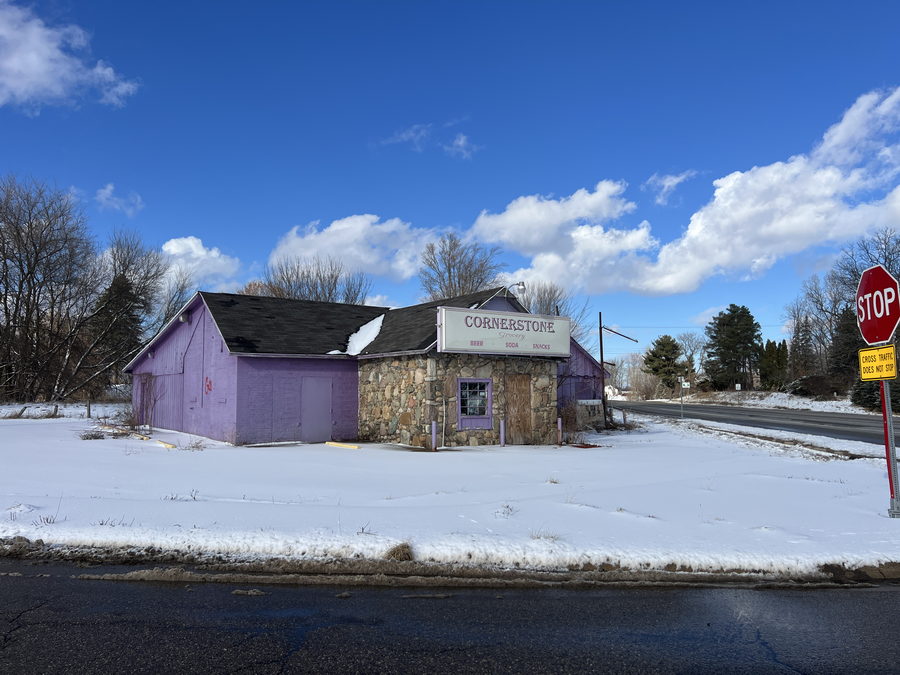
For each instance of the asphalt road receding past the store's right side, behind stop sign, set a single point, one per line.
(853, 427)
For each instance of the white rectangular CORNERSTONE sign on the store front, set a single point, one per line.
(483, 331)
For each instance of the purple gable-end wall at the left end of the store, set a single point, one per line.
(187, 382)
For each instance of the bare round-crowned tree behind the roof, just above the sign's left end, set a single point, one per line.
(451, 267)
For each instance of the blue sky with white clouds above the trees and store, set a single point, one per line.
(660, 159)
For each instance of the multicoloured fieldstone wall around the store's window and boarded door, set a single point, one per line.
(400, 396)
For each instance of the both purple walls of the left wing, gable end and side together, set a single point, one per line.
(190, 382)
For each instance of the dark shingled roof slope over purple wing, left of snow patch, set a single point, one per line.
(258, 325)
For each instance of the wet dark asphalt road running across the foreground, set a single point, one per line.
(57, 623)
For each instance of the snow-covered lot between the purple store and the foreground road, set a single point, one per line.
(669, 493)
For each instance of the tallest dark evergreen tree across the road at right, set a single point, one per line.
(734, 344)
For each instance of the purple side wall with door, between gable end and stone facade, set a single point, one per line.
(271, 404)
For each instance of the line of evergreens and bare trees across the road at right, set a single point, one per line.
(818, 358)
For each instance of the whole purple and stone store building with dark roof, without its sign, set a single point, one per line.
(248, 369)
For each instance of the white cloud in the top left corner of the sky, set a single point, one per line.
(41, 64)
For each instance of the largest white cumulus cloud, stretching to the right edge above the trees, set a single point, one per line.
(844, 187)
